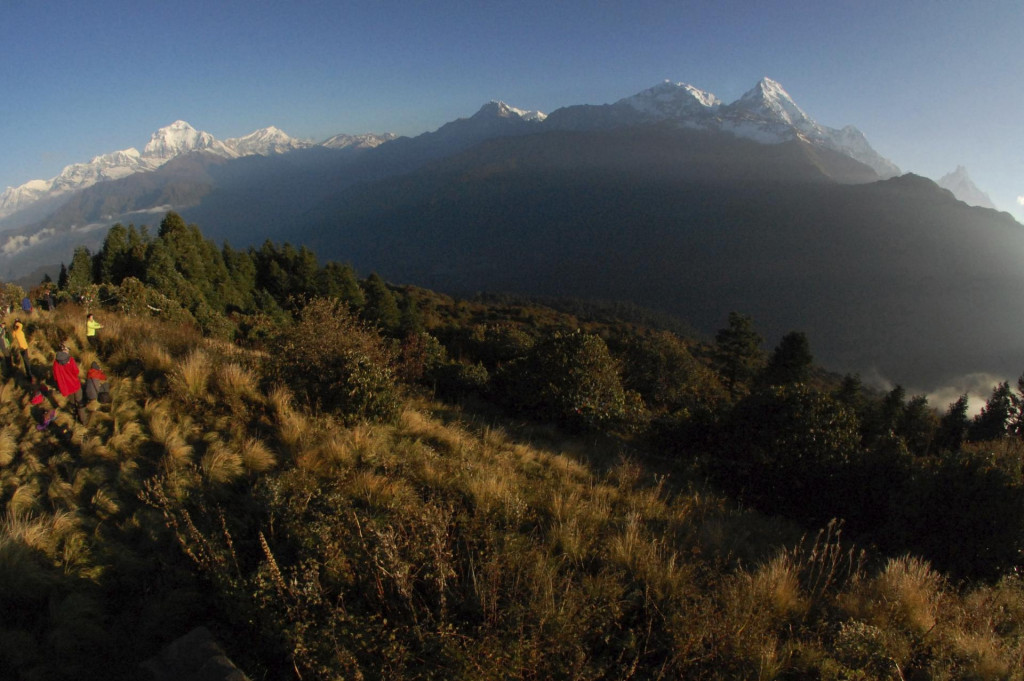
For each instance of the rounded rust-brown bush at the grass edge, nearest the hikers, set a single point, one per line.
(337, 363)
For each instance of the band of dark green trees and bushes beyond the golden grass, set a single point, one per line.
(773, 429)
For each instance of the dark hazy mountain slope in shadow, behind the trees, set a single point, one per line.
(895, 278)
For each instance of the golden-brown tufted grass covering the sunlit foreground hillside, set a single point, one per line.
(448, 540)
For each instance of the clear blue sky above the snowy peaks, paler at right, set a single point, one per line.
(932, 84)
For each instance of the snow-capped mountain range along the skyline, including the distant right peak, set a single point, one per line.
(766, 114)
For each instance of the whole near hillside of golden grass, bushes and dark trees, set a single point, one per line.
(345, 479)
